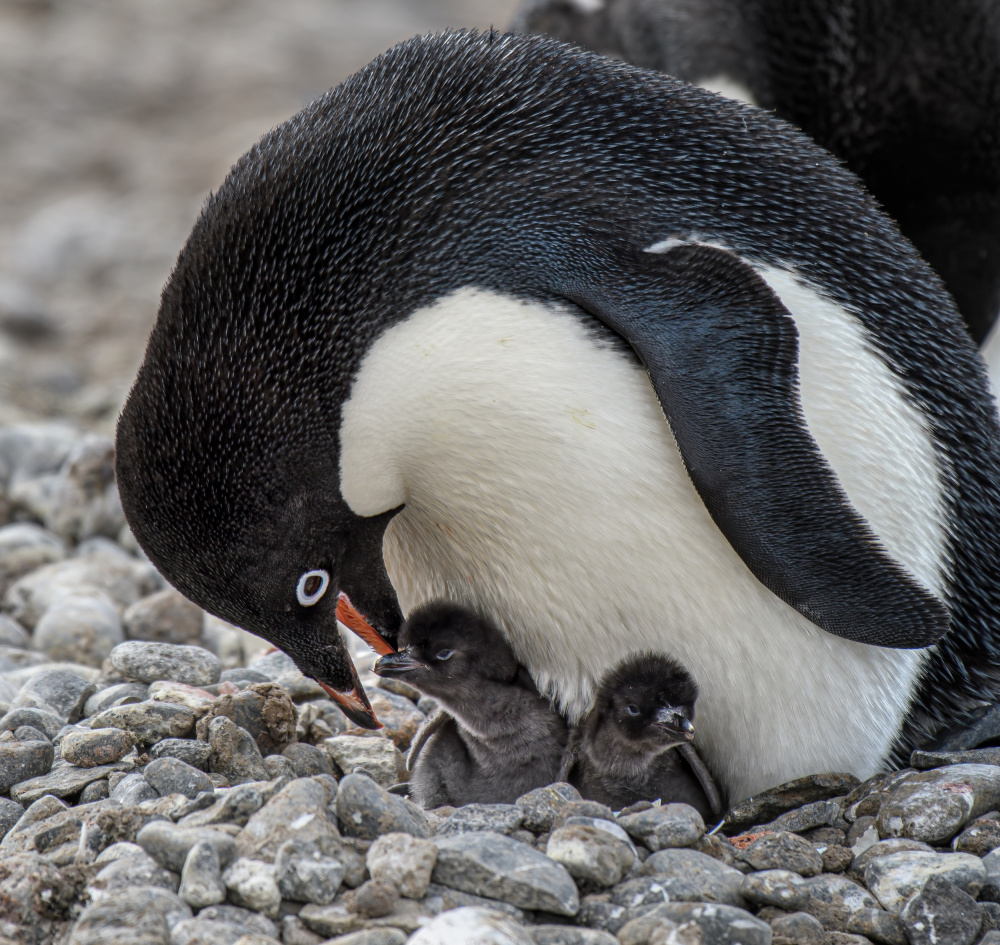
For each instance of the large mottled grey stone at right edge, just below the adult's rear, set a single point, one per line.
(934, 805)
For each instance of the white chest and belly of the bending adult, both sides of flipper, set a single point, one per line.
(542, 486)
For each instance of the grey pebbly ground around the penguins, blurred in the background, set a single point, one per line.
(164, 779)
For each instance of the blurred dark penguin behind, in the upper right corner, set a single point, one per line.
(905, 92)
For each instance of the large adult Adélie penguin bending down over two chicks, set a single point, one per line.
(617, 363)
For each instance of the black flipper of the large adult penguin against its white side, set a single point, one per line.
(721, 351)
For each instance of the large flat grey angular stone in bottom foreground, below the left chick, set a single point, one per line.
(495, 866)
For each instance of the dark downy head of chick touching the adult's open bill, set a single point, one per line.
(447, 650)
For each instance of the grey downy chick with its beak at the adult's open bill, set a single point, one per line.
(498, 736)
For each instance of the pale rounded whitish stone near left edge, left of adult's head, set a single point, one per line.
(81, 628)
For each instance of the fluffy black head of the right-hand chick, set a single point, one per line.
(647, 700)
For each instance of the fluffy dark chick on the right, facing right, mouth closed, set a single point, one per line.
(635, 742)
